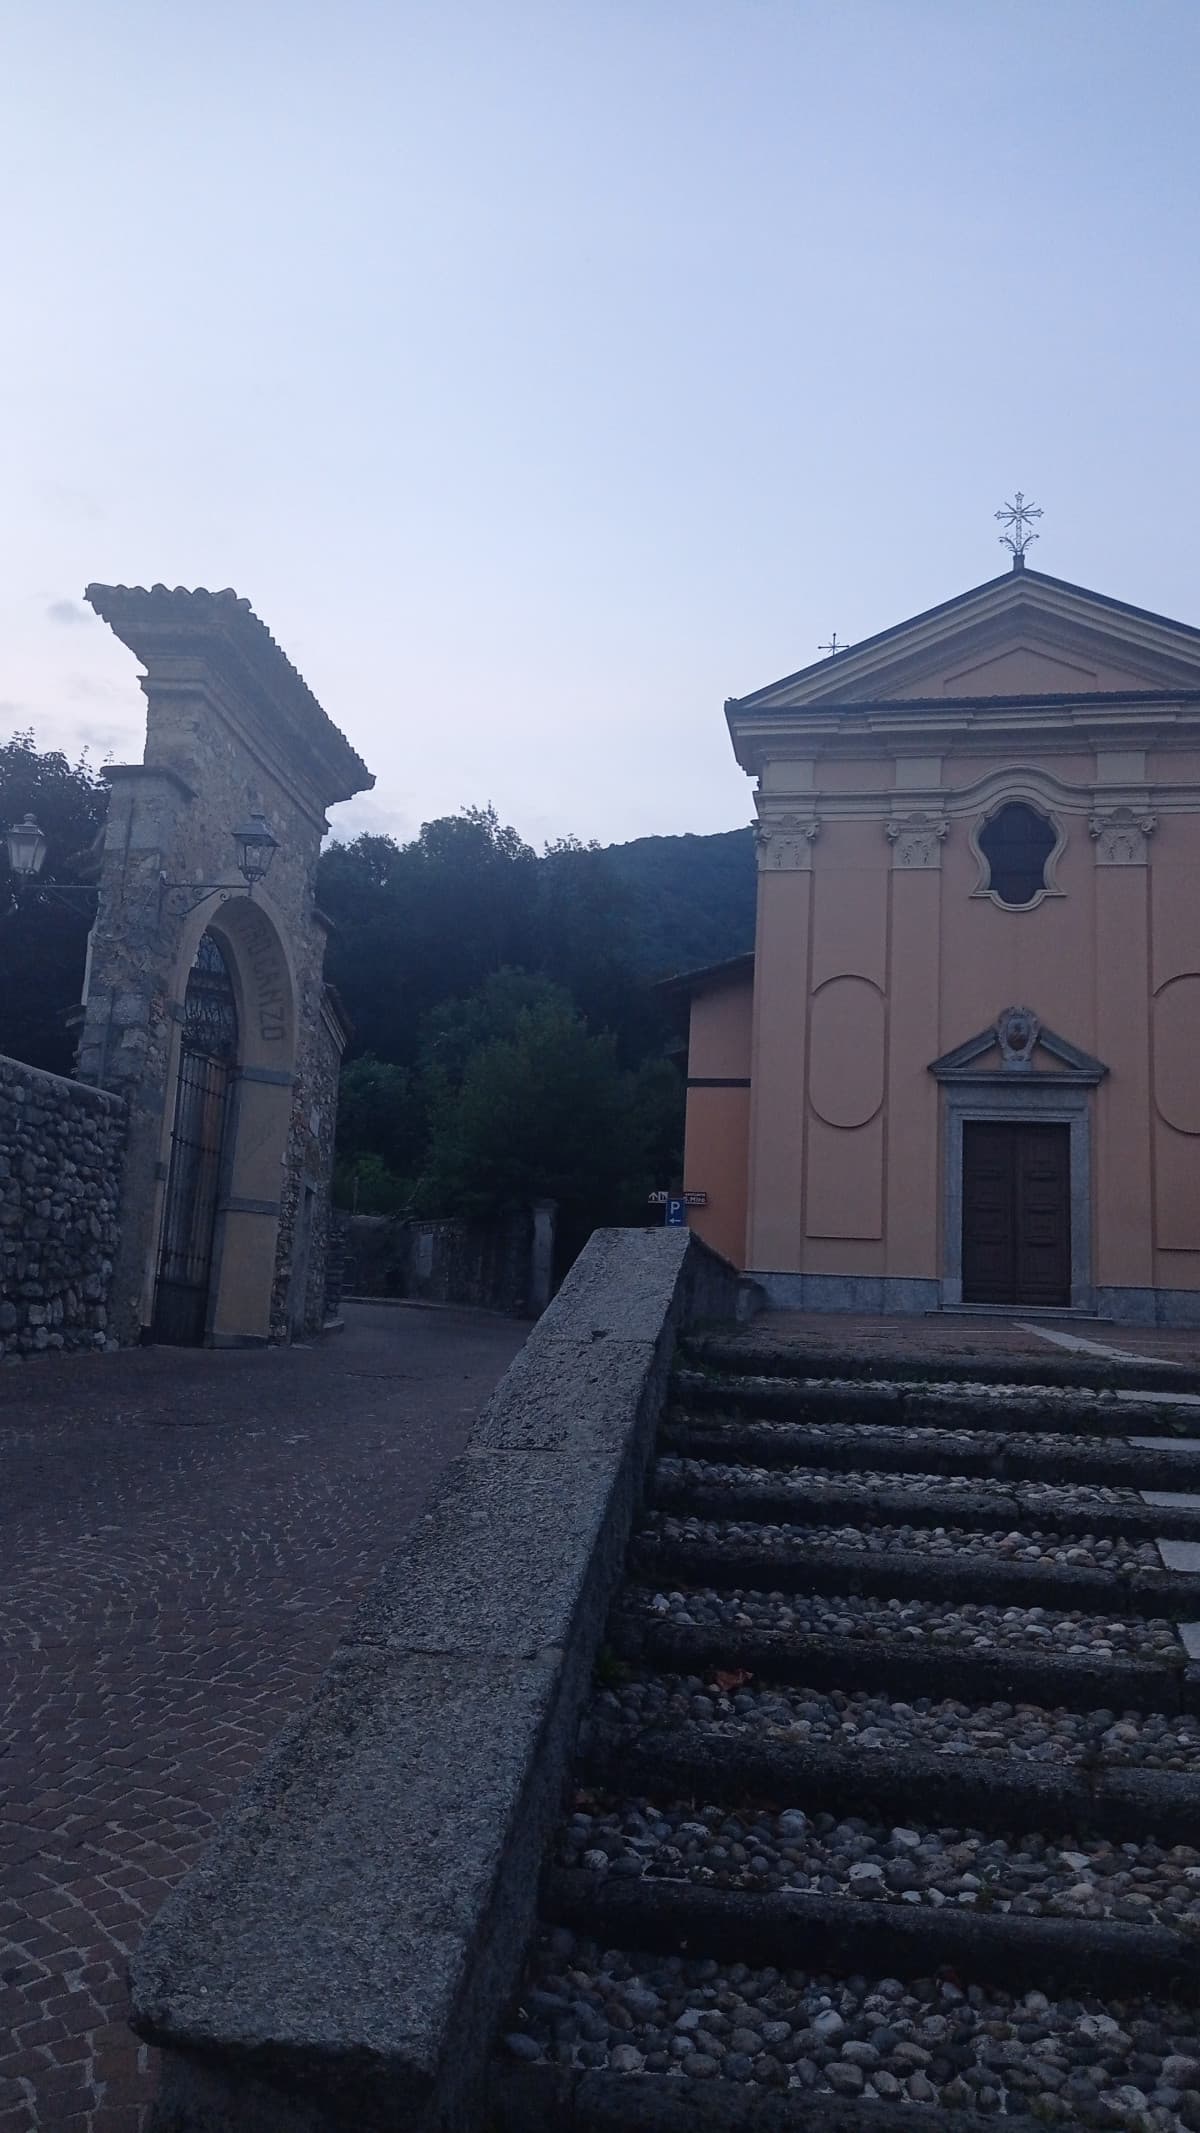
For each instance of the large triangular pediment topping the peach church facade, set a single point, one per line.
(1018, 637)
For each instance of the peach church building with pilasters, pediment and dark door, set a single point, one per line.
(962, 1065)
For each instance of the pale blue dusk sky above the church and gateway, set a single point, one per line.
(549, 372)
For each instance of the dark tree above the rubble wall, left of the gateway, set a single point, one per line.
(44, 946)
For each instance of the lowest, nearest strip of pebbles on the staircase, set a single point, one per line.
(1069, 2062)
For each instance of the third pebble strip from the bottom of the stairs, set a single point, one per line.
(860, 1720)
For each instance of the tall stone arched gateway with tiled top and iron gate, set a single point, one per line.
(227, 1168)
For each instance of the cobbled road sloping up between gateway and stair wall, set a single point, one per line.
(182, 1539)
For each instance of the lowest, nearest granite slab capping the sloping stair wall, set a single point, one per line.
(340, 1904)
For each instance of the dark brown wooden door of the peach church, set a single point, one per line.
(1016, 1215)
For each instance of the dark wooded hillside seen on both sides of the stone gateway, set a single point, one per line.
(508, 1036)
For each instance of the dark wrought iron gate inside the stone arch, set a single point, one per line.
(197, 1149)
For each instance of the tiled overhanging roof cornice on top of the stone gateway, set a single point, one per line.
(163, 622)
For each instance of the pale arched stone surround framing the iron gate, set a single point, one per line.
(257, 1125)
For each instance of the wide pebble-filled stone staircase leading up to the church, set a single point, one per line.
(732, 1895)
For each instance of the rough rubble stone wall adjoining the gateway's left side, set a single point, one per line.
(61, 1159)
